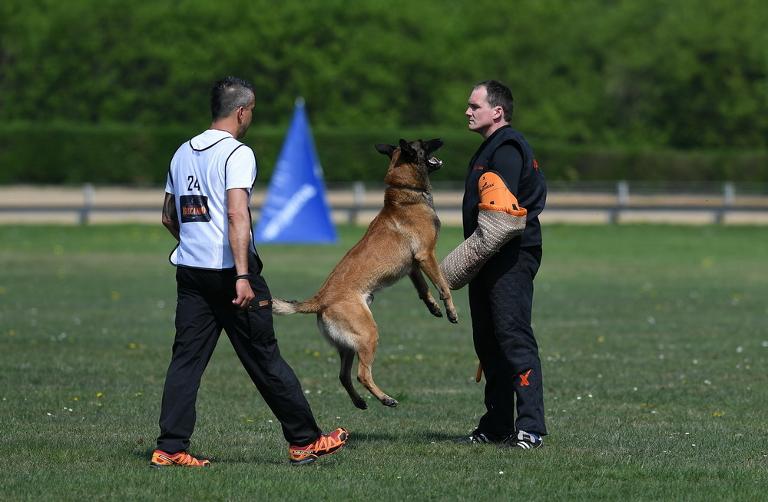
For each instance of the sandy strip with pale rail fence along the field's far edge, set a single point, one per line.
(356, 203)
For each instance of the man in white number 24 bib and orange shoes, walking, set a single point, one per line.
(219, 286)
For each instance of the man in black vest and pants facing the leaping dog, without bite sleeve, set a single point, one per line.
(501, 295)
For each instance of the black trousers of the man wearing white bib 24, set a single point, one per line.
(204, 308)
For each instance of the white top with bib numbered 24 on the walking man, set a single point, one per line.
(202, 170)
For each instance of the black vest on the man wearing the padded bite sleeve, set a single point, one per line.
(532, 187)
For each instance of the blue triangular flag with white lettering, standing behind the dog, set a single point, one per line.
(295, 209)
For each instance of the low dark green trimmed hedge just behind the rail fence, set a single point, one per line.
(32, 153)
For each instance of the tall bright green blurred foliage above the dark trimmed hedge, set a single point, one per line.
(683, 74)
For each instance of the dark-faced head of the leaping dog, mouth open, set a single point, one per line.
(411, 162)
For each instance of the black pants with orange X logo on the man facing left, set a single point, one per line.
(501, 300)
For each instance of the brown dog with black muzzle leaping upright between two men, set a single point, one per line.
(400, 240)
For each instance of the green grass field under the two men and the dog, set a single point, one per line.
(654, 344)
